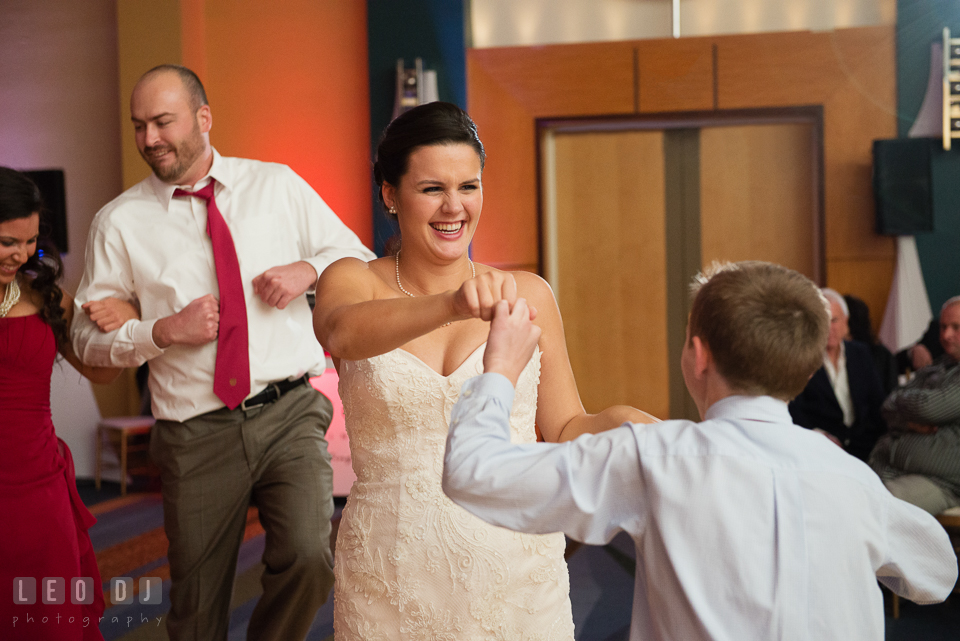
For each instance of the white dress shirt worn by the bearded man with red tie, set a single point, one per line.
(148, 246)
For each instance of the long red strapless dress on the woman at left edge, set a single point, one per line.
(43, 531)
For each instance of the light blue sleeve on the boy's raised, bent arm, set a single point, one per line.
(589, 488)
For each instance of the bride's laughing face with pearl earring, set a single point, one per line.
(438, 201)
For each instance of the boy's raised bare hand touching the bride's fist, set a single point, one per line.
(513, 337)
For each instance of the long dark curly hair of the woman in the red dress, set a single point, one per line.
(20, 198)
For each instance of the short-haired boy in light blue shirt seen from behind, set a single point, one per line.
(746, 526)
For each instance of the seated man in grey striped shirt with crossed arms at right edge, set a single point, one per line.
(919, 460)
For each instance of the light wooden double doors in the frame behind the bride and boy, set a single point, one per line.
(630, 216)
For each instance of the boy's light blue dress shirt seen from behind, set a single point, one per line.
(746, 526)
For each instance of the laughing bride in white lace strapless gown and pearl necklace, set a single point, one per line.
(406, 332)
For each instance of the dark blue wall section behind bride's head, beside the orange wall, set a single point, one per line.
(432, 30)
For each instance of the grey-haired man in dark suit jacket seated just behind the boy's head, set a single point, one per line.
(843, 398)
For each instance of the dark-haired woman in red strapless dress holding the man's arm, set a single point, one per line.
(44, 530)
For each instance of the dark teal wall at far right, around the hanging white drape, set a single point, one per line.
(920, 23)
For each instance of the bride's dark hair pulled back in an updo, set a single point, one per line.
(435, 123)
